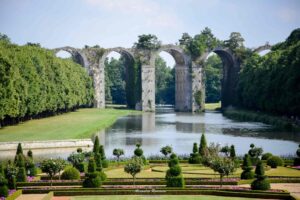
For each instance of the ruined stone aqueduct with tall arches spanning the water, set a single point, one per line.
(189, 74)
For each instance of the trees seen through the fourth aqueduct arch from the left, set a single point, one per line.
(213, 75)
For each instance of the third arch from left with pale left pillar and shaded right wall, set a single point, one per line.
(183, 92)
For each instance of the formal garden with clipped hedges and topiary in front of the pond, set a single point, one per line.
(209, 170)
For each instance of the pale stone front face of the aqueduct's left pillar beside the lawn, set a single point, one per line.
(99, 85)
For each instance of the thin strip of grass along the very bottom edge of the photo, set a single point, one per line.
(161, 197)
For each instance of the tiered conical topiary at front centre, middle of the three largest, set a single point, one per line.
(173, 176)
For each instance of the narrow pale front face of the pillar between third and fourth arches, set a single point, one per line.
(198, 85)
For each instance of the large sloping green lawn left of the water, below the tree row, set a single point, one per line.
(74, 125)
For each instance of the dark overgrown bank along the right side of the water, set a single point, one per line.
(280, 122)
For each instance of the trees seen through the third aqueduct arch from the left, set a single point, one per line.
(164, 82)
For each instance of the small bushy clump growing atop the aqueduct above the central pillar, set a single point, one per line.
(147, 42)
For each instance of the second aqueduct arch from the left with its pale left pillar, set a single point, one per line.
(99, 73)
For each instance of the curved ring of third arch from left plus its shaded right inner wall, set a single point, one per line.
(182, 76)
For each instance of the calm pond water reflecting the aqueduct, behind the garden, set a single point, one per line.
(181, 130)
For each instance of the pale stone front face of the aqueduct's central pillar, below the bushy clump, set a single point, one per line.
(148, 88)
